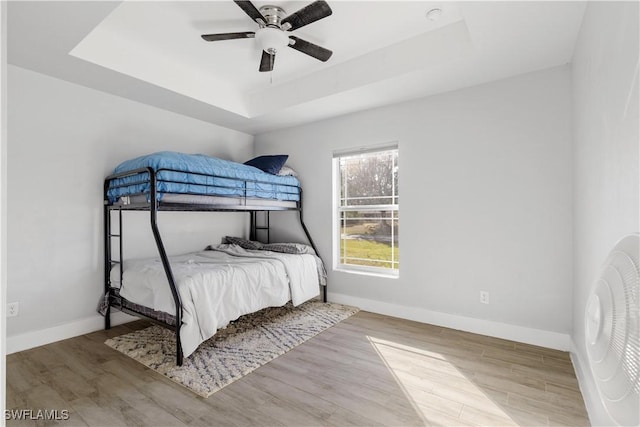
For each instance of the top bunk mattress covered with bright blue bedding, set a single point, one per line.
(198, 174)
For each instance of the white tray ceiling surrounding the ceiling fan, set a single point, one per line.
(383, 52)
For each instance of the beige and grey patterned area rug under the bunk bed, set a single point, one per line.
(240, 348)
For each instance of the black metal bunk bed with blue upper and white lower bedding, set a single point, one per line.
(170, 181)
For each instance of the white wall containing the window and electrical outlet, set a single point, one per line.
(485, 204)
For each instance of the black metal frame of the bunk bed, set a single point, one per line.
(153, 206)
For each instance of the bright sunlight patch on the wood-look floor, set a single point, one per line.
(438, 391)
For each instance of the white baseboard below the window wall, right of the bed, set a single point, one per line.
(521, 334)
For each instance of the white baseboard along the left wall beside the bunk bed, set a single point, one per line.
(33, 339)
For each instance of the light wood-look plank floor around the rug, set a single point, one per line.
(369, 370)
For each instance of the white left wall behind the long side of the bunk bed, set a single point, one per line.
(63, 139)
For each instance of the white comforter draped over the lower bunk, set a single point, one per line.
(218, 286)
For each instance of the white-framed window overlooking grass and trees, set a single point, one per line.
(366, 196)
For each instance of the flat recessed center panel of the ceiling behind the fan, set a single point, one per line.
(160, 43)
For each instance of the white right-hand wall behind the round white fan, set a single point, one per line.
(606, 175)
